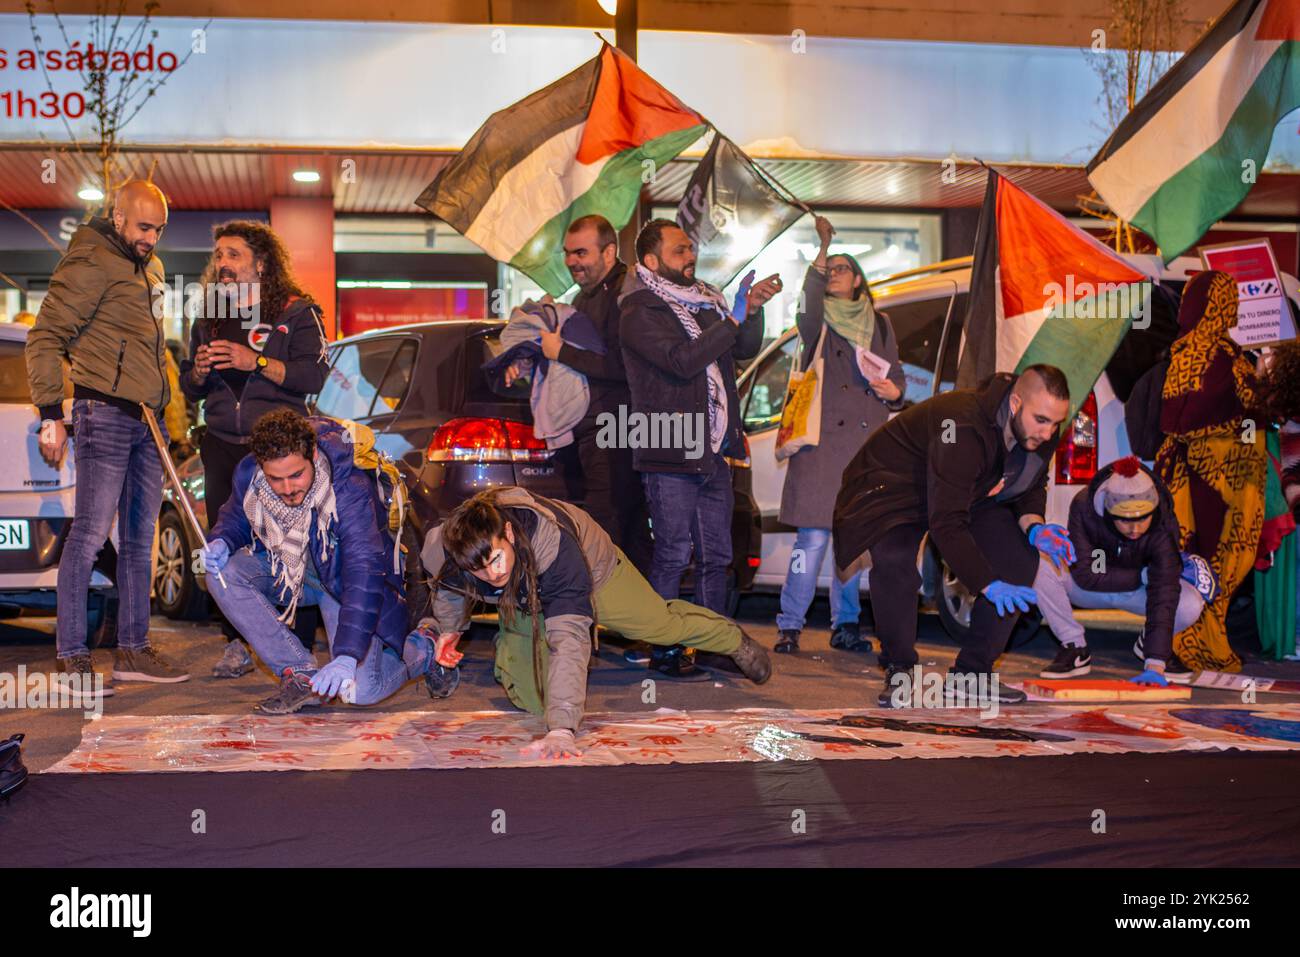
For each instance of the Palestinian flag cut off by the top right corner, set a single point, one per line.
(1190, 150)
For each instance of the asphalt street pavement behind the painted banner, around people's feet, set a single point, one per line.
(817, 678)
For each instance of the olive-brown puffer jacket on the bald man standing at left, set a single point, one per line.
(105, 315)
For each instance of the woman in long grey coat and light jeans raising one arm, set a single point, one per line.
(855, 404)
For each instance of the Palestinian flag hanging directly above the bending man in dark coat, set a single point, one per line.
(1045, 292)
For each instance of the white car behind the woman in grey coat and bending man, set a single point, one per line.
(928, 309)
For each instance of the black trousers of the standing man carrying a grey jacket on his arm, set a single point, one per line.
(606, 486)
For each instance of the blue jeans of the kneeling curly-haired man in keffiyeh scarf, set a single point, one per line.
(249, 600)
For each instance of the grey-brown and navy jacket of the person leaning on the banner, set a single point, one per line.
(575, 560)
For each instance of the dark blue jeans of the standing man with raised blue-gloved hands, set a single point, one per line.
(692, 512)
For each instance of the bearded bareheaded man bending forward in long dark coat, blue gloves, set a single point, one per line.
(972, 469)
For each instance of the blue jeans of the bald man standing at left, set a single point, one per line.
(119, 473)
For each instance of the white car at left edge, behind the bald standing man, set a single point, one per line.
(37, 506)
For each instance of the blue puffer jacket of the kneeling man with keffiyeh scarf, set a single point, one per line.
(358, 566)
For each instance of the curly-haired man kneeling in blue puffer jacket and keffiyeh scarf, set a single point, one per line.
(305, 526)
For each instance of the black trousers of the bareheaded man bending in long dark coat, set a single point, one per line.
(894, 583)
